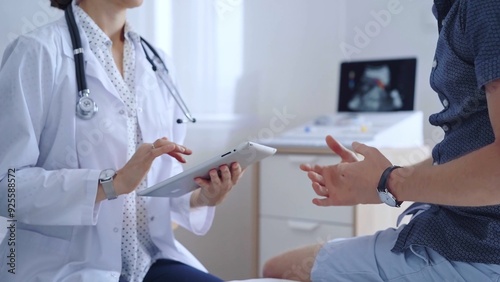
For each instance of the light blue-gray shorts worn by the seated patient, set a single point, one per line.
(368, 258)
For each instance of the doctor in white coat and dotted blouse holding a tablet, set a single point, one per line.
(63, 172)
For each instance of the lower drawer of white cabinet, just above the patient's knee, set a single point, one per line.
(279, 235)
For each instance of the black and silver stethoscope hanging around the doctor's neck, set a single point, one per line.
(86, 108)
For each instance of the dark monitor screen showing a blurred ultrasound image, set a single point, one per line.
(377, 86)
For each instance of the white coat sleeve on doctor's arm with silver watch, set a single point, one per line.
(40, 195)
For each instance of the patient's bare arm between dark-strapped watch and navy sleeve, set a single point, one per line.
(471, 180)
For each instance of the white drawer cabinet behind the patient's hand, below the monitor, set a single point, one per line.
(287, 217)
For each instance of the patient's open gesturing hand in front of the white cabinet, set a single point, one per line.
(350, 182)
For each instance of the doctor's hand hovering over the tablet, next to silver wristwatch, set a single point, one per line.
(129, 177)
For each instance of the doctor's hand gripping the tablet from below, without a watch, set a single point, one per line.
(214, 190)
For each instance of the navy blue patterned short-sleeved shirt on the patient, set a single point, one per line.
(467, 58)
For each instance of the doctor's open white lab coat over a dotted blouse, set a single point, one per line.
(61, 234)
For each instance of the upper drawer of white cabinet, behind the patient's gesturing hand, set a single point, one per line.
(285, 190)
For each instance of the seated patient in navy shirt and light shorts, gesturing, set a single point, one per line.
(454, 231)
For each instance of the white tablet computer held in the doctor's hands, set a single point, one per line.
(245, 154)
